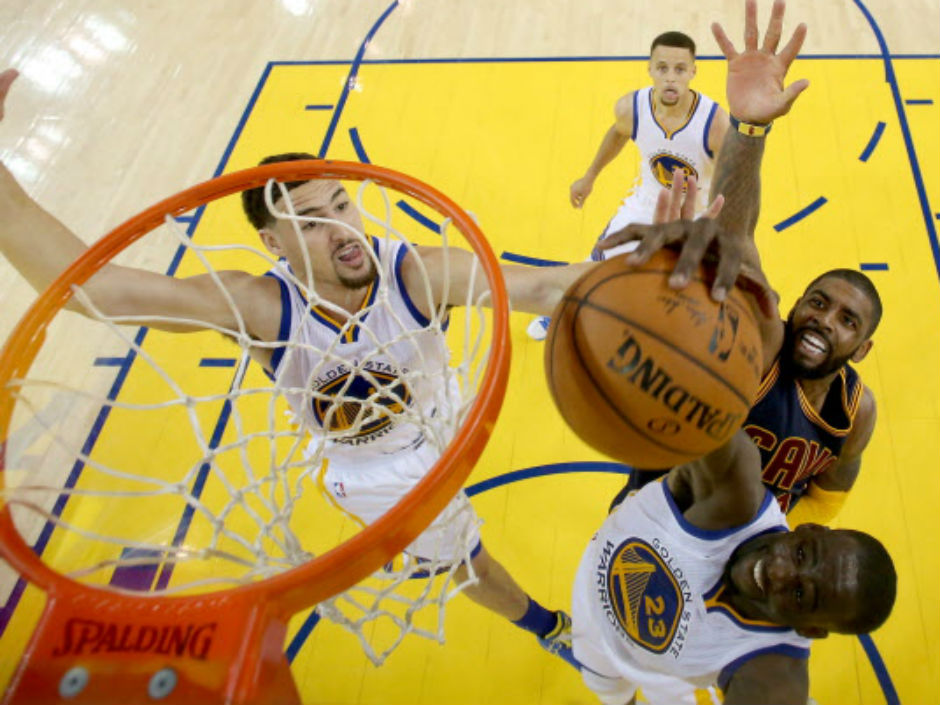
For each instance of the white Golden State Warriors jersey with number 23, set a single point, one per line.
(655, 582)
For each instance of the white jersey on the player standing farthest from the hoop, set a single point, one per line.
(662, 151)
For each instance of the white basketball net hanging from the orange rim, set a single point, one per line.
(164, 501)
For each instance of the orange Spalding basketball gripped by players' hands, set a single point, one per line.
(648, 375)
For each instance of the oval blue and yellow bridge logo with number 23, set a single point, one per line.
(644, 596)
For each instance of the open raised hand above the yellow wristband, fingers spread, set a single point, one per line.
(756, 93)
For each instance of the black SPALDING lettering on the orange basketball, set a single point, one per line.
(630, 362)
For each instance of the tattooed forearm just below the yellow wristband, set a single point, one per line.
(737, 177)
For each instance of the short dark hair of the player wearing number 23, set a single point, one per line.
(878, 583)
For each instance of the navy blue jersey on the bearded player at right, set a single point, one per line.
(795, 441)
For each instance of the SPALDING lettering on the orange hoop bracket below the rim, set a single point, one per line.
(89, 636)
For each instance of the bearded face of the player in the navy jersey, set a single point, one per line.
(827, 327)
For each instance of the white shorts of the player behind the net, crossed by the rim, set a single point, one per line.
(366, 491)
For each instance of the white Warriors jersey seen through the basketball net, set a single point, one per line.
(386, 353)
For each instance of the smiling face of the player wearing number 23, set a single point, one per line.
(807, 579)
